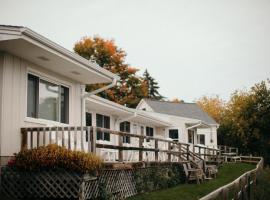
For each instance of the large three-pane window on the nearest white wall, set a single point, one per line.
(47, 100)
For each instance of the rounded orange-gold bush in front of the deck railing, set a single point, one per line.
(53, 156)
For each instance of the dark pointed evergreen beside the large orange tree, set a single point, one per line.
(152, 87)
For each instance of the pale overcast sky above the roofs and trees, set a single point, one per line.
(192, 47)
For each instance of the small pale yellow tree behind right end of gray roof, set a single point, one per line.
(213, 105)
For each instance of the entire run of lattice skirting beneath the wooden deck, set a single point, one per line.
(67, 185)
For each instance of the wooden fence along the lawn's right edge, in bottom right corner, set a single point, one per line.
(241, 188)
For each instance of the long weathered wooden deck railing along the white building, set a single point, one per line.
(84, 138)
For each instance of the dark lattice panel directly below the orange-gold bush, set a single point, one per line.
(44, 184)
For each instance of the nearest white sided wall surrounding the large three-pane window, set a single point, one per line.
(14, 96)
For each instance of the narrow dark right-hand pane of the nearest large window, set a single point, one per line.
(64, 105)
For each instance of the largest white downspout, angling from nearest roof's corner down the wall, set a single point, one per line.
(89, 94)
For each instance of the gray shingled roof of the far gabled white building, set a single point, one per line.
(187, 110)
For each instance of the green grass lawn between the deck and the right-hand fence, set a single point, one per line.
(227, 173)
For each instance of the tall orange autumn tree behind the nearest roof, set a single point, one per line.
(131, 88)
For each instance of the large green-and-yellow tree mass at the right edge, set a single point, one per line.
(246, 121)
